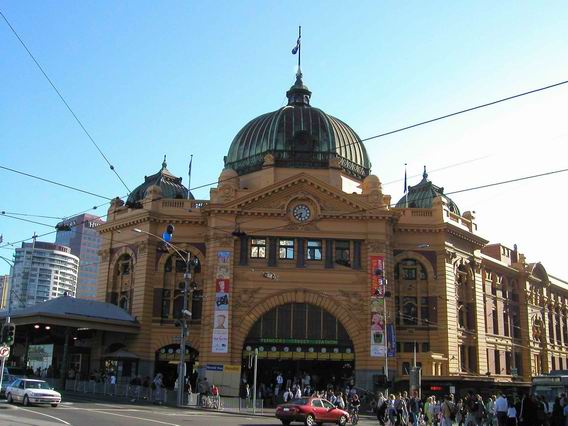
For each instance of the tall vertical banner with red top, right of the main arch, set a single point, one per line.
(377, 305)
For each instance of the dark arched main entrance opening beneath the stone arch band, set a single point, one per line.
(299, 339)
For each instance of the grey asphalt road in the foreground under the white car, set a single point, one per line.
(81, 412)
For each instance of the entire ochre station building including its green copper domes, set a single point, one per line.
(303, 259)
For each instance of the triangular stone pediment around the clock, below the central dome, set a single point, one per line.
(275, 198)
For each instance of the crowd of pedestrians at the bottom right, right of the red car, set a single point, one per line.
(528, 410)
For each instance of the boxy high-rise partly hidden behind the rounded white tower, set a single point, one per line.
(80, 234)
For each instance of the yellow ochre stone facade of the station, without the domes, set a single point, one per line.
(475, 312)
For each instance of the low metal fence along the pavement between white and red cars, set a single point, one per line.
(164, 396)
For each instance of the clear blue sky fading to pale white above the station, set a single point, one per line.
(149, 78)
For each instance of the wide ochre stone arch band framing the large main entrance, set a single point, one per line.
(330, 304)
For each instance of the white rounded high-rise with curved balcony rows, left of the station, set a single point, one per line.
(42, 271)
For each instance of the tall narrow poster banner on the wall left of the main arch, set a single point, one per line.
(220, 337)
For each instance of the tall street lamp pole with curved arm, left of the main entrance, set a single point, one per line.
(190, 264)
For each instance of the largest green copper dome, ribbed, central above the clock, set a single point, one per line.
(298, 135)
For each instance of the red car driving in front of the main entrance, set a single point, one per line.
(311, 411)
